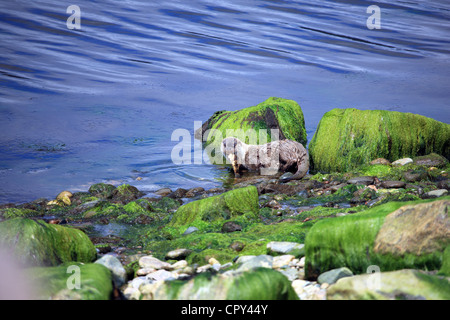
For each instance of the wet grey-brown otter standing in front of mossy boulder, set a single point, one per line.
(281, 155)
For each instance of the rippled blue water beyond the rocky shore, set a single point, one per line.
(99, 104)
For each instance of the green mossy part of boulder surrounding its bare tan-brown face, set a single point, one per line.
(349, 241)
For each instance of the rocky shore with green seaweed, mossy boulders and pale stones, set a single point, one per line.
(375, 228)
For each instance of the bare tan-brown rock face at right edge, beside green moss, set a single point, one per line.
(417, 229)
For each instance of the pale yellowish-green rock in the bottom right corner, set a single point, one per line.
(395, 285)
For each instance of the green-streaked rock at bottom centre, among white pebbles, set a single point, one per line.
(257, 284)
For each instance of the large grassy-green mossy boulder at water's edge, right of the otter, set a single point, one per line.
(348, 138)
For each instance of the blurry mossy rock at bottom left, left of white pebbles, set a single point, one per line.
(95, 282)
